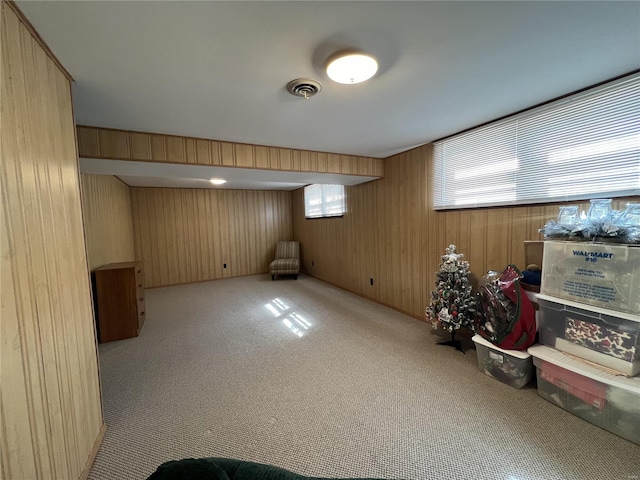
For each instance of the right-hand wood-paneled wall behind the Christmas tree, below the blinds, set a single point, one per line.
(391, 233)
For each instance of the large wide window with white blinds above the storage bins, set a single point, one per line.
(580, 147)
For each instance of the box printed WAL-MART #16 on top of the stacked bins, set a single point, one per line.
(601, 274)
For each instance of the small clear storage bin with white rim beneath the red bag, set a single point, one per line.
(512, 367)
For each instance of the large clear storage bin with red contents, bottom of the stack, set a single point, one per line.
(608, 401)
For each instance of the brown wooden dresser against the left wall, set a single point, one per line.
(119, 300)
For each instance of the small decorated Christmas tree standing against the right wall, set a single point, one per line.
(453, 304)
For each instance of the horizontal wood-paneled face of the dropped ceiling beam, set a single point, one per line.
(112, 144)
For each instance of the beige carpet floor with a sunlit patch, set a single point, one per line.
(302, 375)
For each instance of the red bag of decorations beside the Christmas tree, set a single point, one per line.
(509, 318)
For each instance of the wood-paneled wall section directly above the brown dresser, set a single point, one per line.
(108, 220)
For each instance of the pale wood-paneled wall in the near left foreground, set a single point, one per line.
(51, 417)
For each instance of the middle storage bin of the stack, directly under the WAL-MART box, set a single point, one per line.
(608, 338)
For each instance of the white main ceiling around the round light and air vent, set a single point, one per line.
(219, 70)
